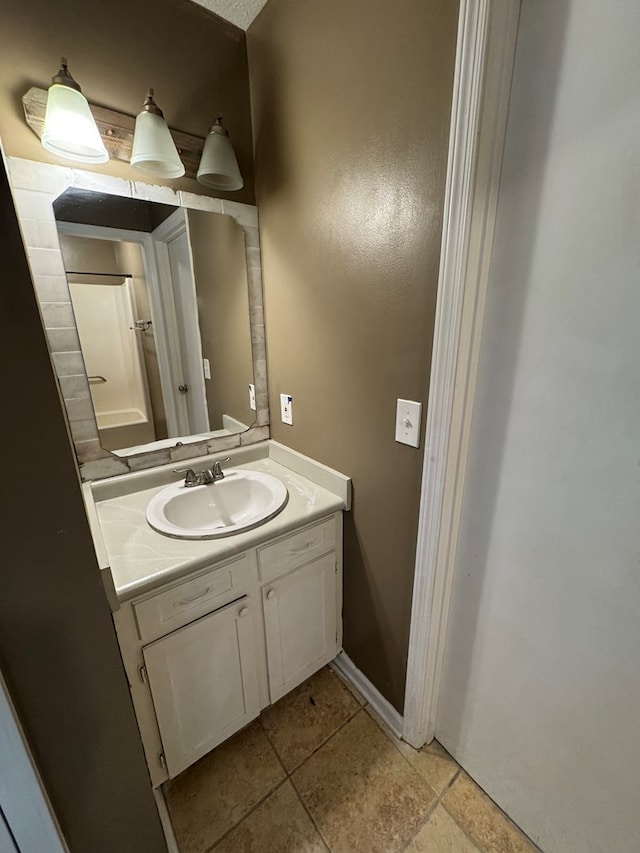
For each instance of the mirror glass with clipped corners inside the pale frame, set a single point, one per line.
(161, 307)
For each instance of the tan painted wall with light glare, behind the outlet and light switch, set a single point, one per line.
(351, 108)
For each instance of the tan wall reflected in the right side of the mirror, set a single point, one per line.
(220, 269)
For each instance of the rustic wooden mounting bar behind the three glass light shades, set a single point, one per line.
(116, 130)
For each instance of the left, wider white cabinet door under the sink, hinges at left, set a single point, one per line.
(204, 684)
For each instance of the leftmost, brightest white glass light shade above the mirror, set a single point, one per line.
(69, 128)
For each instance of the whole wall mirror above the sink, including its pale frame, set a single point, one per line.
(153, 312)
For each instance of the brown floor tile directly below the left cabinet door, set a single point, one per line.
(213, 795)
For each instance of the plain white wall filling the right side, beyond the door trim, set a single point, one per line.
(541, 688)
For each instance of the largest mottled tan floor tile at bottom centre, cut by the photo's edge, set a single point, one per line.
(361, 792)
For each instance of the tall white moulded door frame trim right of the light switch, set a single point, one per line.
(485, 56)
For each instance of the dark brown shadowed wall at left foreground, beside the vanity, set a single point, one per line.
(58, 648)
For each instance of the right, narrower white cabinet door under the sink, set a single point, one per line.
(300, 624)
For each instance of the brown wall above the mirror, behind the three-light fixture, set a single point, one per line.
(195, 61)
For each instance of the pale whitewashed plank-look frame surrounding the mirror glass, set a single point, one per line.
(35, 186)
